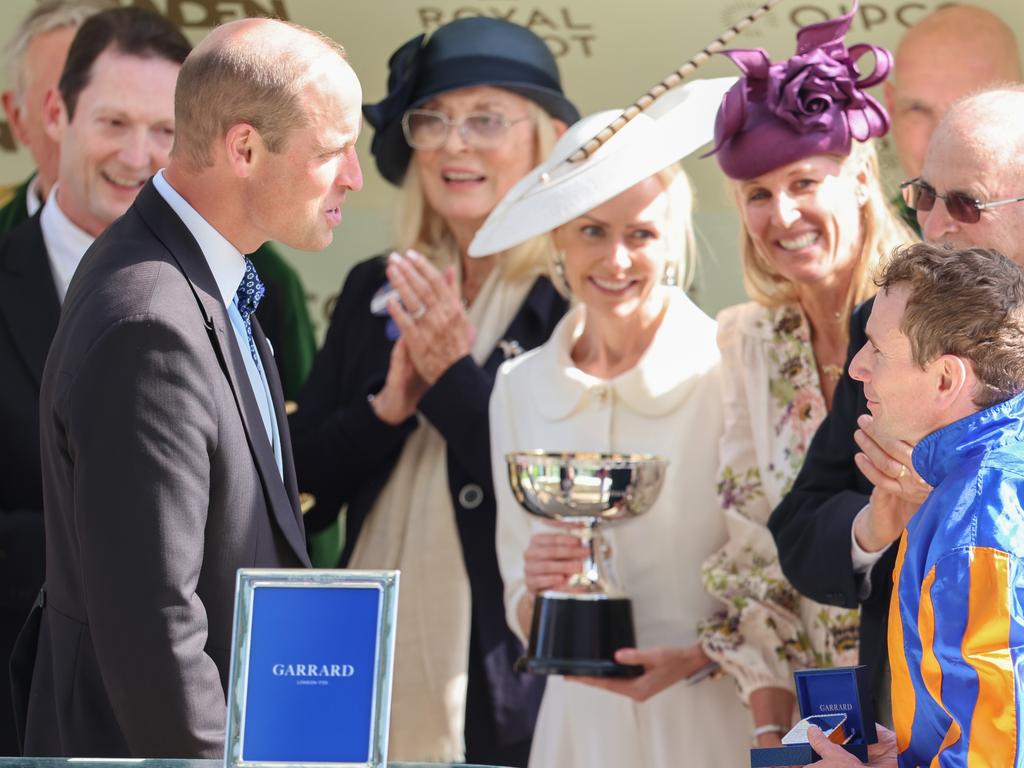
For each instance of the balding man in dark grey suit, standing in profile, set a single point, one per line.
(166, 456)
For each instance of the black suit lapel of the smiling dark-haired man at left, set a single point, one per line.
(28, 296)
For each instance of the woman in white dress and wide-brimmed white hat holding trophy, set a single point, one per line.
(633, 368)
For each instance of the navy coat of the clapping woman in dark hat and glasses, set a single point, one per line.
(345, 455)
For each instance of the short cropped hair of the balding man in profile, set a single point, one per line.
(223, 87)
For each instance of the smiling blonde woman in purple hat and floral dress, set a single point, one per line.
(795, 139)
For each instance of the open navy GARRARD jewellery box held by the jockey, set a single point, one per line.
(839, 702)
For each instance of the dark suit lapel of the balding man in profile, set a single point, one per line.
(183, 246)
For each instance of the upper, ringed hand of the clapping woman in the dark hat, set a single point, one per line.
(431, 316)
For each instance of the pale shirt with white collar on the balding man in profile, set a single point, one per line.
(229, 267)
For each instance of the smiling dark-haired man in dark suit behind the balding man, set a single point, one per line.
(122, 73)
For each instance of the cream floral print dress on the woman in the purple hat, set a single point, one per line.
(774, 406)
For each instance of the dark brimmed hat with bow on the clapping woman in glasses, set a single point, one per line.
(461, 55)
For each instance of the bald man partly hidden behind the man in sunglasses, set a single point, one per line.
(950, 54)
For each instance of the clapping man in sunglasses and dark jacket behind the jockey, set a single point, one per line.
(858, 489)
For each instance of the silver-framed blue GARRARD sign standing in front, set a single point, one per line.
(312, 662)
